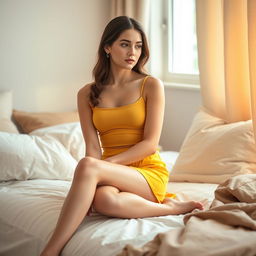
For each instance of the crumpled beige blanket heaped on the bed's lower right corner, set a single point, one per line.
(227, 228)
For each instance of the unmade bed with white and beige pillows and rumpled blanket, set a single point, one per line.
(36, 169)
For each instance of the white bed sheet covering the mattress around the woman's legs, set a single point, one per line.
(29, 211)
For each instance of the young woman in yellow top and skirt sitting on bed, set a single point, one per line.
(121, 115)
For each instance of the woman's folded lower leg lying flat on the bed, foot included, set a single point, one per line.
(111, 202)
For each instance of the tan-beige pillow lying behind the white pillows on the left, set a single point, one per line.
(28, 122)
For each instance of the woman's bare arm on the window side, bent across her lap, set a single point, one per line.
(155, 101)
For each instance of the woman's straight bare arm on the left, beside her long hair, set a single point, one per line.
(89, 132)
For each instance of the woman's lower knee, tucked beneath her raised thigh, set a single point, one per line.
(105, 200)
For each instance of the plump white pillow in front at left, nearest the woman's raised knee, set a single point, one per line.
(25, 157)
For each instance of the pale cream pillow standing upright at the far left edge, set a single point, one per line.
(6, 125)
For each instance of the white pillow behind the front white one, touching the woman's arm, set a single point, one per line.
(69, 135)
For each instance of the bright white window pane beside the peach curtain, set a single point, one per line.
(183, 57)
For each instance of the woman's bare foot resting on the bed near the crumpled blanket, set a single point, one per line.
(178, 207)
